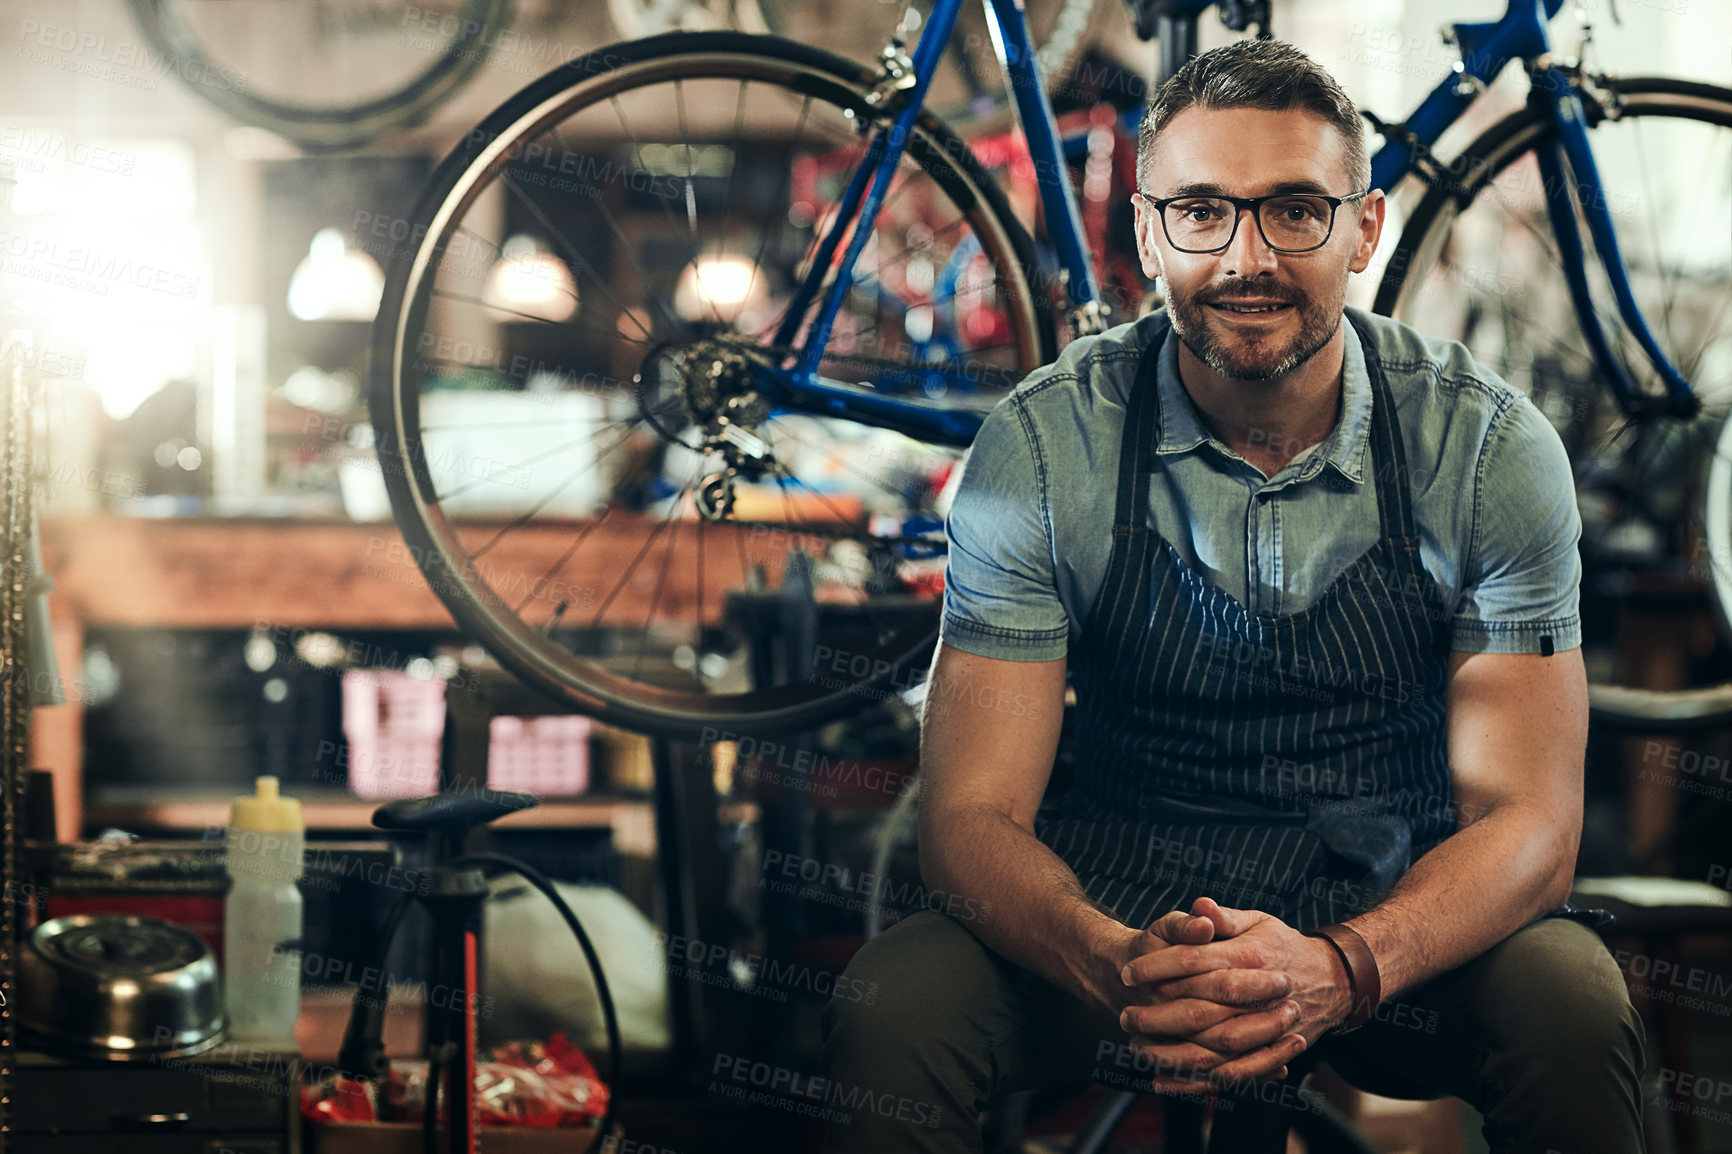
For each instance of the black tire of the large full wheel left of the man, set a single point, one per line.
(590, 685)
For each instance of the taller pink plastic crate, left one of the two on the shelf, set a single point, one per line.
(394, 725)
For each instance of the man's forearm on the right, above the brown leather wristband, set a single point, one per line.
(1468, 895)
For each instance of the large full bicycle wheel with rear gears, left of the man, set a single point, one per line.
(586, 288)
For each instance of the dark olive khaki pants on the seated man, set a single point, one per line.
(1537, 1034)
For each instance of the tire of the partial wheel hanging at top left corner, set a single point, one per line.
(328, 127)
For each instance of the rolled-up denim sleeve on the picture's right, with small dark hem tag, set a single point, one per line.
(1523, 580)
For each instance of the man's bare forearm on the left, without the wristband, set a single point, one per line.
(1040, 917)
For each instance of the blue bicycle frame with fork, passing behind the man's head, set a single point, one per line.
(1487, 48)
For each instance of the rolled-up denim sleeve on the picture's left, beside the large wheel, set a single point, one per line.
(1000, 595)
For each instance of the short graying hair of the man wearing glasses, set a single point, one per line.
(1257, 74)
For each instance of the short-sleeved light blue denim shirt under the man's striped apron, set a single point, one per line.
(1494, 495)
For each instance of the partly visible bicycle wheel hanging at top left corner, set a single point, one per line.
(377, 70)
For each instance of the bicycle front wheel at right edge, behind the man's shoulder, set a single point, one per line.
(1478, 263)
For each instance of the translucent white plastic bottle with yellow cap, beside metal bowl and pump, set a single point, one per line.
(262, 917)
